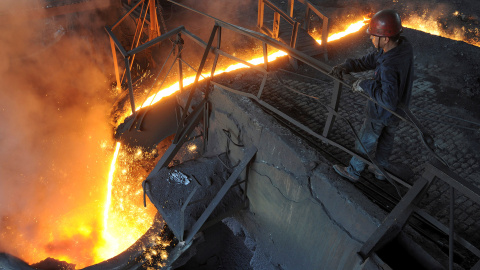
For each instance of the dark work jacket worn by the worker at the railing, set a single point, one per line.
(392, 85)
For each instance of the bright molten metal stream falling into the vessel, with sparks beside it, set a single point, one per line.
(124, 218)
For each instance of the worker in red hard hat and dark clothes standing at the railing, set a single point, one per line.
(391, 87)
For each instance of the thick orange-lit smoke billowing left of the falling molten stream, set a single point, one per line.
(54, 104)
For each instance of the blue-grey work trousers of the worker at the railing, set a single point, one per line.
(376, 138)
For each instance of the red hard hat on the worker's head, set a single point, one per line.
(385, 23)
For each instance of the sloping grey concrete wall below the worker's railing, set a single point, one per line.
(299, 217)
